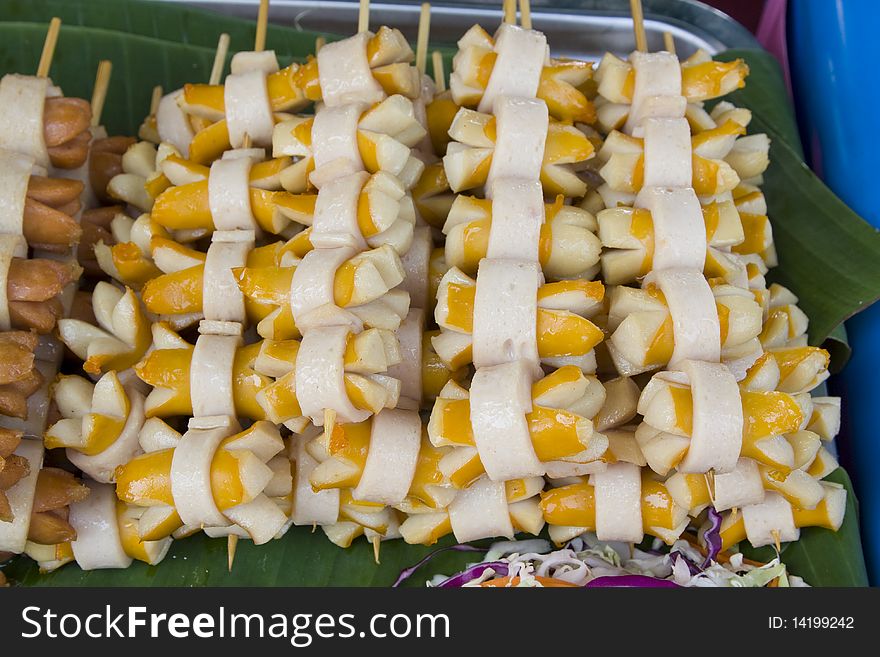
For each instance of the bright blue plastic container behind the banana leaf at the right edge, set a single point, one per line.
(834, 50)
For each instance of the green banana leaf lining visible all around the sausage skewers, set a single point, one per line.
(829, 257)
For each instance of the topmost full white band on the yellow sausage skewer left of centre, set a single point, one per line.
(248, 110)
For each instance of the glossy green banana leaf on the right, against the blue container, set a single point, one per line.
(828, 254)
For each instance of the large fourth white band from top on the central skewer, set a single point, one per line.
(505, 313)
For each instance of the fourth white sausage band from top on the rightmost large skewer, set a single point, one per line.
(695, 322)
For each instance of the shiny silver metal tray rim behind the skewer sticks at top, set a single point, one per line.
(585, 29)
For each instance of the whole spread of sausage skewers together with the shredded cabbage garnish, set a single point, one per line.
(335, 294)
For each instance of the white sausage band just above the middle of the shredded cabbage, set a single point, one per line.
(618, 491)
